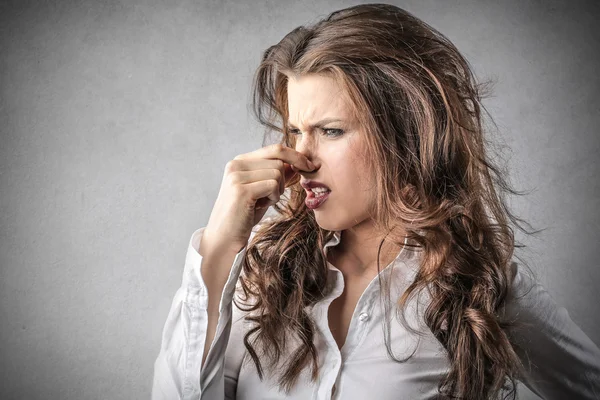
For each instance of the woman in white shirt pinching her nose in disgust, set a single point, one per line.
(383, 150)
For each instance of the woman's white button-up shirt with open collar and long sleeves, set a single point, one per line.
(564, 362)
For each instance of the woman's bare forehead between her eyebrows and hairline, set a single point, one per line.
(314, 97)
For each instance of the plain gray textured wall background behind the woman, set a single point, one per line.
(117, 119)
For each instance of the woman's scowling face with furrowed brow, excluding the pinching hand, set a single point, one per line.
(320, 120)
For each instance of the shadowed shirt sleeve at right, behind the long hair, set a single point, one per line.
(561, 361)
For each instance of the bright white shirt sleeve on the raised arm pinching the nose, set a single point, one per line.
(178, 370)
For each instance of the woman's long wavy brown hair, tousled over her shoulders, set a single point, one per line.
(419, 105)
